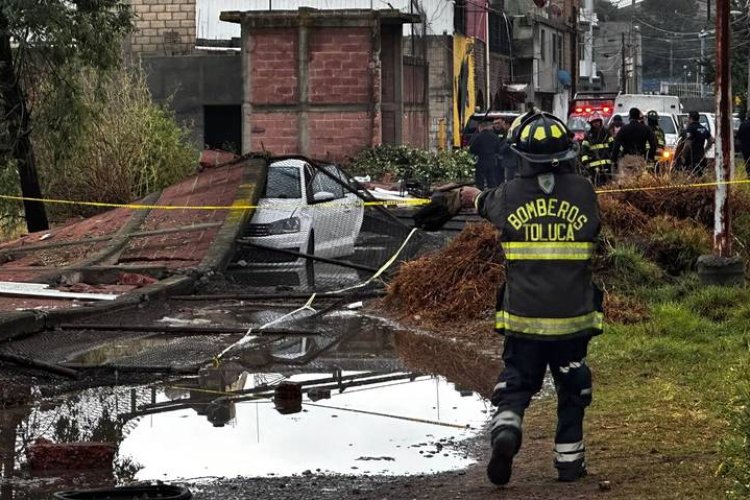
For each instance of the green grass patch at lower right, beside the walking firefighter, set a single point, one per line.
(676, 389)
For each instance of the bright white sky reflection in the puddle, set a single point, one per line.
(394, 427)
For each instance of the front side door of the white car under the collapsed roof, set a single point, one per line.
(329, 218)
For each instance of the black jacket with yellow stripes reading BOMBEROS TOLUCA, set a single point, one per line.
(549, 242)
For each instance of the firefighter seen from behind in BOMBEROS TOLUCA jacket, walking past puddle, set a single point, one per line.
(548, 308)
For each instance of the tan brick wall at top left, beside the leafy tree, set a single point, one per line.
(163, 27)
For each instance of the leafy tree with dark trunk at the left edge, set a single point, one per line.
(49, 39)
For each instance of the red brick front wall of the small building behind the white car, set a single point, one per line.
(338, 77)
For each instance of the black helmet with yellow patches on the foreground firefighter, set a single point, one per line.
(543, 138)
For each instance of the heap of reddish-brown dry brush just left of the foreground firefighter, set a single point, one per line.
(455, 283)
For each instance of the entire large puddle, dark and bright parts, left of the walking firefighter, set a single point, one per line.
(354, 409)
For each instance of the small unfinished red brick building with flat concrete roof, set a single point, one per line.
(325, 83)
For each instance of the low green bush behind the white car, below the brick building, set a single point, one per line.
(402, 162)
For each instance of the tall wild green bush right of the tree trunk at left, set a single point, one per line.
(108, 143)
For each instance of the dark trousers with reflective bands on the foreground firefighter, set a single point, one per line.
(526, 363)
